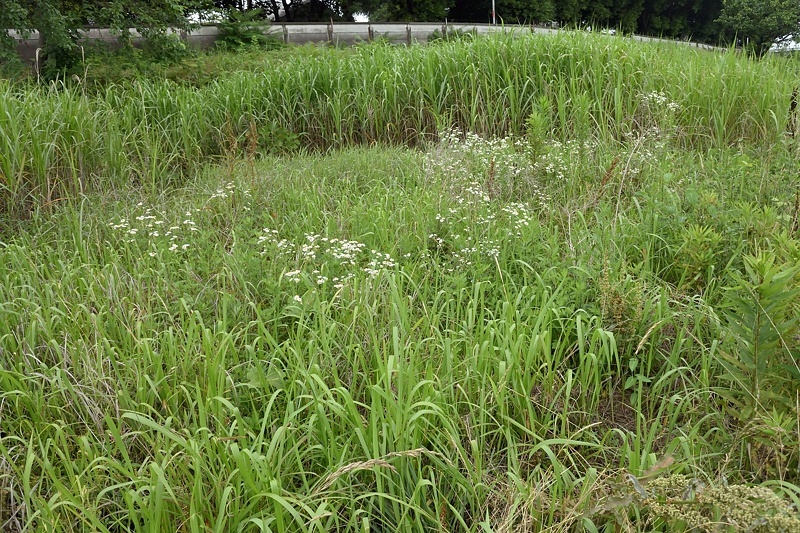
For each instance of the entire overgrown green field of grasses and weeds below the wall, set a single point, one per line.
(492, 284)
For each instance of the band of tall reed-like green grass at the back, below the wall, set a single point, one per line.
(58, 141)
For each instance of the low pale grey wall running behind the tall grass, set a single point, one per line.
(334, 33)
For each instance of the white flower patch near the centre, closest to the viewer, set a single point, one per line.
(324, 260)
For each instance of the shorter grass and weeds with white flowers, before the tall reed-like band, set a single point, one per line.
(520, 324)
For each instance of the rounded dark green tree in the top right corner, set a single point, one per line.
(760, 23)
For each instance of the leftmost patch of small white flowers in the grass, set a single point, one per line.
(154, 231)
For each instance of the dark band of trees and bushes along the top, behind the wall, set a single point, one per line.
(755, 24)
